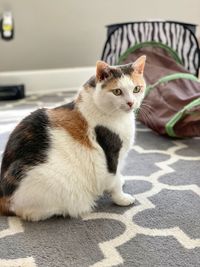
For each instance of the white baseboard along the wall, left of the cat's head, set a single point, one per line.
(40, 81)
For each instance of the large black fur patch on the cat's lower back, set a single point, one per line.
(26, 148)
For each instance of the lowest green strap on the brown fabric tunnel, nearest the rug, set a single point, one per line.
(171, 123)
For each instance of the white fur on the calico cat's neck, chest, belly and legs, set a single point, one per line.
(75, 176)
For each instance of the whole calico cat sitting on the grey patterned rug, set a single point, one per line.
(59, 161)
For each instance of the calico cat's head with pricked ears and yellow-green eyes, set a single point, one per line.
(119, 88)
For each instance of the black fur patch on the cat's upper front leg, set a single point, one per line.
(111, 144)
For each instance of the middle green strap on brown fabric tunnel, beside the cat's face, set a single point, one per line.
(171, 77)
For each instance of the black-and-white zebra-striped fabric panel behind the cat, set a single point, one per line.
(175, 35)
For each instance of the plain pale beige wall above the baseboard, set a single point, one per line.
(69, 33)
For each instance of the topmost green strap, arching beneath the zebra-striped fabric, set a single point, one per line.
(132, 49)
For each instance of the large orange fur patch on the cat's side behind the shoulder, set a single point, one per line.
(73, 122)
